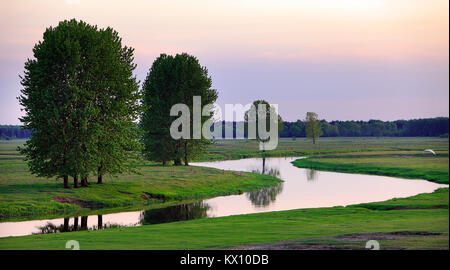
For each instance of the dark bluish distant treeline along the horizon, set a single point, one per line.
(428, 127)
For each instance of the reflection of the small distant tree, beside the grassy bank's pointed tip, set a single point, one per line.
(263, 197)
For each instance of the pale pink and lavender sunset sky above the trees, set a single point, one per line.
(343, 59)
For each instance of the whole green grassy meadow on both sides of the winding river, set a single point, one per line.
(418, 222)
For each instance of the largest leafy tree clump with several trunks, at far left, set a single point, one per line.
(78, 93)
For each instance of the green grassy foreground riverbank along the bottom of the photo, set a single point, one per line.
(336, 227)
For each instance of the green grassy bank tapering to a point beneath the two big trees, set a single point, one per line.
(24, 195)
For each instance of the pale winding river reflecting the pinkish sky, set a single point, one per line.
(301, 188)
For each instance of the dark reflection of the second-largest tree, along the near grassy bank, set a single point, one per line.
(175, 213)
